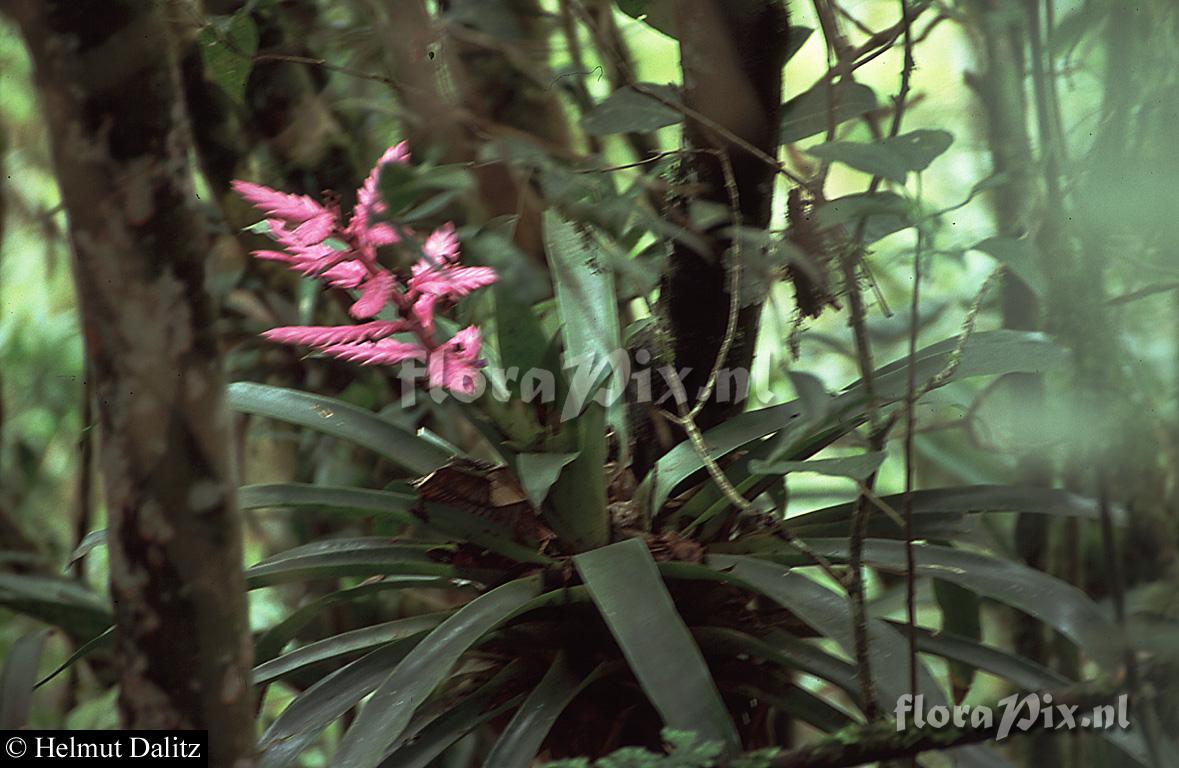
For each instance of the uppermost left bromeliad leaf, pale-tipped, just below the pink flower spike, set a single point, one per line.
(340, 421)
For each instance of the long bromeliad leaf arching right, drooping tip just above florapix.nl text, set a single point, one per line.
(1056, 603)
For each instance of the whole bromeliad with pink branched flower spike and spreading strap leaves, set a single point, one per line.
(607, 607)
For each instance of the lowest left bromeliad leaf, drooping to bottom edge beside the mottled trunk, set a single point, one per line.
(313, 711)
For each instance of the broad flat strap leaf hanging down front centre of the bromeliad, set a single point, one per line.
(634, 600)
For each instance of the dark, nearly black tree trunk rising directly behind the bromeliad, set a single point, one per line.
(733, 55)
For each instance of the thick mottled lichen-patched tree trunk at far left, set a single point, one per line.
(121, 146)
